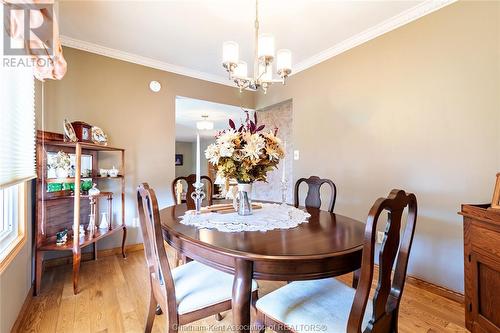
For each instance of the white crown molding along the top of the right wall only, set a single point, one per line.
(390, 24)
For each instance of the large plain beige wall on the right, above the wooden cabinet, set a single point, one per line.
(418, 109)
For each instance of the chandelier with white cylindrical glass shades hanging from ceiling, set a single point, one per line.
(263, 61)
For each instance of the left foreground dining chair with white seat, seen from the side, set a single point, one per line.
(187, 293)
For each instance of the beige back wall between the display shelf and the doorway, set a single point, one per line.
(114, 95)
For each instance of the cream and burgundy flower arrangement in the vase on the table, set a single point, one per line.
(246, 154)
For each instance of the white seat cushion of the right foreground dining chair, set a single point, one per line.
(307, 306)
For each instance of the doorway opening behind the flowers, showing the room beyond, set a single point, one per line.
(207, 118)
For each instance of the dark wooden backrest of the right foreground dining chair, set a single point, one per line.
(388, 292)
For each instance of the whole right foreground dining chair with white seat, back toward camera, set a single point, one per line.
(334, 307)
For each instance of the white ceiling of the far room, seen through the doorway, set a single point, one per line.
(188, 111)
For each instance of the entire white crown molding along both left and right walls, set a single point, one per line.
(390, 24)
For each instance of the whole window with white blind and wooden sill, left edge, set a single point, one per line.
(17, 156)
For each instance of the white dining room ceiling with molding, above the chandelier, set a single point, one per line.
(186, 36)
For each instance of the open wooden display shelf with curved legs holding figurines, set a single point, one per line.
(63, 210)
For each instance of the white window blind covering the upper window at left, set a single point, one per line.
(17, 125)
